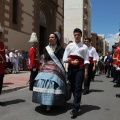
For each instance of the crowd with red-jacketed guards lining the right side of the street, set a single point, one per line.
(110, 65)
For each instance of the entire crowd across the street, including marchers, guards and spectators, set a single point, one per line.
(48, 78)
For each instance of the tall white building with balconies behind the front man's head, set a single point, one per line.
(77, 14)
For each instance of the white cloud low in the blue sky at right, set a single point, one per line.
(111, 38)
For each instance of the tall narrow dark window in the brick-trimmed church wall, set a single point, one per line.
(15, 11)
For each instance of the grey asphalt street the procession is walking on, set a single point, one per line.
(99, 104)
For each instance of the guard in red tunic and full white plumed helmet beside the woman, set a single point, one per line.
(34, 60)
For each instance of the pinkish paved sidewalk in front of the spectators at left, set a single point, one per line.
(15, 81)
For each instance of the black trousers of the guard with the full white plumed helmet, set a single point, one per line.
(32, 78)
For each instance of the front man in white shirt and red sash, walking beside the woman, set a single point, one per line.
(76, 54)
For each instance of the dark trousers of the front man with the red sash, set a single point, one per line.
(76, 76)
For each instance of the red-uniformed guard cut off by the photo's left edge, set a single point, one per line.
(2, 62)
